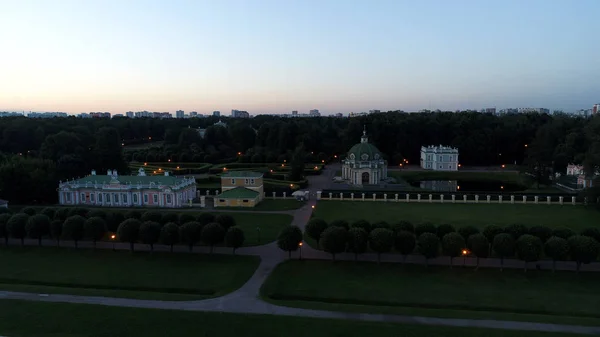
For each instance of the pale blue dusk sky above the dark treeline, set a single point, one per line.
(275, 56)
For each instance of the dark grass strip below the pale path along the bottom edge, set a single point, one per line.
(39, 319)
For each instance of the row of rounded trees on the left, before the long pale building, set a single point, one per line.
(151, 227)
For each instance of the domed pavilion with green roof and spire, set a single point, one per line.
(364, 164)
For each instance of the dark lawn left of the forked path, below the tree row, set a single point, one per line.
(168, 276)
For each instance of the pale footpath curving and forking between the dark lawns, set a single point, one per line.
(246, 299)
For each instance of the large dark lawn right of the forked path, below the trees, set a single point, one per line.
(438, 291)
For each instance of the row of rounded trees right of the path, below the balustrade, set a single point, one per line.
(528, 244)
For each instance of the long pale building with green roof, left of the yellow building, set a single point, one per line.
(112, 190)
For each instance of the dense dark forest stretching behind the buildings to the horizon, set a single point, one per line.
(37, 153)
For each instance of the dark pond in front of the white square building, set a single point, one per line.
(467, 186)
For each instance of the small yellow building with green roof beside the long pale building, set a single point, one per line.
(240, 189)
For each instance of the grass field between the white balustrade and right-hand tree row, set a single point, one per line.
(480, 215)
